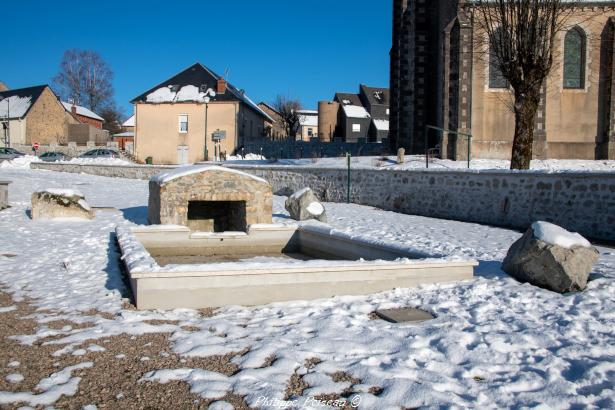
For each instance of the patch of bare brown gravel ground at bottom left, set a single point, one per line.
(113, 380)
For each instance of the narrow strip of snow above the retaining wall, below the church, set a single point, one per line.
(418, 162)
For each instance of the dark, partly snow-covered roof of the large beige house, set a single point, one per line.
(190, 85)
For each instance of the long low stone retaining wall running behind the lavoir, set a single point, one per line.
(581, 202)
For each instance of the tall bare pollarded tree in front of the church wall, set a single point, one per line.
(521, 36)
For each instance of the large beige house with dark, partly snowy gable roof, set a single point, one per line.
(194, 116)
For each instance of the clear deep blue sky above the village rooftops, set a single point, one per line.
(307, 49)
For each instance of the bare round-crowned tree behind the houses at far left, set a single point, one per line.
(85, 78)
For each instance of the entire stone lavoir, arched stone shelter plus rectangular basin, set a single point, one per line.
(211, 243)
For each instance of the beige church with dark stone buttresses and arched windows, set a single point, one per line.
(464, 93)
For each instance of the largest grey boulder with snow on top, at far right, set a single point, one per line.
(552, 258)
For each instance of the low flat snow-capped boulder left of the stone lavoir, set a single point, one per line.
(60, 203)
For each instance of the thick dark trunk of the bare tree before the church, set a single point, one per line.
(526, 107)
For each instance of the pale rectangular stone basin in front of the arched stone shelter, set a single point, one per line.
(172, 267)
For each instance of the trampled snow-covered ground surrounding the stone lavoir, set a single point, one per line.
(494, 343)
